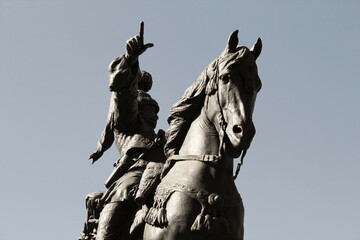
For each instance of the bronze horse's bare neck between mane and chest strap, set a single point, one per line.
(201, 138)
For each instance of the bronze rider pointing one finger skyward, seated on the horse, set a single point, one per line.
(131, 122)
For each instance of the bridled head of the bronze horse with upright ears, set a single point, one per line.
(231, 95)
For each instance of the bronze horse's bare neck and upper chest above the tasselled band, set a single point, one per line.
(203, 139)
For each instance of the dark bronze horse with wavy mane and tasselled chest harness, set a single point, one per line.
(209, 127)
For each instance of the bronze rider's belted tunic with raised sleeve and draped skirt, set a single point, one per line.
(126, 127)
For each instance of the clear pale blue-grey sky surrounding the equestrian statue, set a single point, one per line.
(301, 175)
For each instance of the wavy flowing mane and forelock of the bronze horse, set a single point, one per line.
(189, 106)
